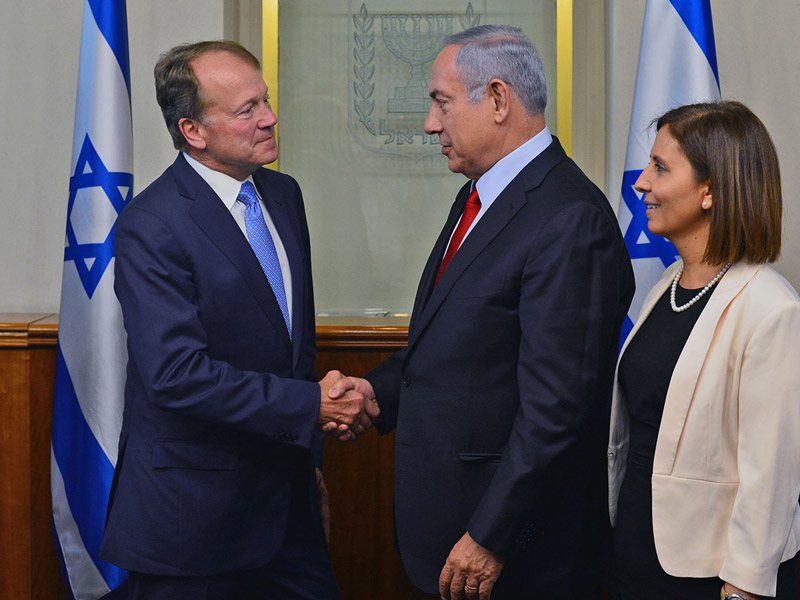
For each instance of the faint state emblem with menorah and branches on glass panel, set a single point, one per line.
(391, 56)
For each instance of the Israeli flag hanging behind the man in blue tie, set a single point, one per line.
(91, 358)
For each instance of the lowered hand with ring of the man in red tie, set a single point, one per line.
(470, 571)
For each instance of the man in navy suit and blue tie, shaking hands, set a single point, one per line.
(215, 491)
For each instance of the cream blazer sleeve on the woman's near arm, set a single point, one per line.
(768, 453)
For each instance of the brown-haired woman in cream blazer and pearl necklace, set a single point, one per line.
(726, 469)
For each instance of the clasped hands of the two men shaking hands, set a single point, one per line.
(347, 406)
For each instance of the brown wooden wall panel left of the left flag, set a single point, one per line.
(28, 564)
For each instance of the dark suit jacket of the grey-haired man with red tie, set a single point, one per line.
(501, 399)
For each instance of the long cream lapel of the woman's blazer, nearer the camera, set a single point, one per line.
(680, 393)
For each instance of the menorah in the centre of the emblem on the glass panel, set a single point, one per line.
(416, 47)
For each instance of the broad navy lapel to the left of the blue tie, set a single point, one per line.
(211, 216)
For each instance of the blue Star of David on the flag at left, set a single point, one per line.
(91, 172)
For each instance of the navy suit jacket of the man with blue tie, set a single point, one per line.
(220, 405)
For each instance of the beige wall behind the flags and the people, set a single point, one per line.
(39, 44)
